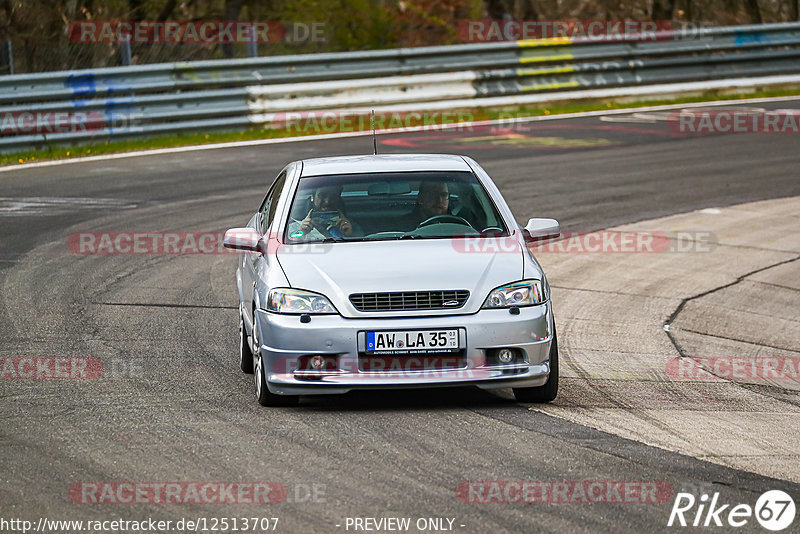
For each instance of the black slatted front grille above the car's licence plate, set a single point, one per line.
(410, 300)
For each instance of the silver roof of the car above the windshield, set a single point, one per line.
(383, 163)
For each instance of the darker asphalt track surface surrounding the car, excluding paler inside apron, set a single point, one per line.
(174, 407)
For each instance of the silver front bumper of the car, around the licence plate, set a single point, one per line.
(284, 339)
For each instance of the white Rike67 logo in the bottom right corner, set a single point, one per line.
(774, 510)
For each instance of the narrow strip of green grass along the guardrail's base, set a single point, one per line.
(177, 140)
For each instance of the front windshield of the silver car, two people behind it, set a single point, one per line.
(384, 206)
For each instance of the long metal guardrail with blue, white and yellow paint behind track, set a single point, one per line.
(54, 108)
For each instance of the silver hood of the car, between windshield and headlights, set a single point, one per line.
(339, 269)
